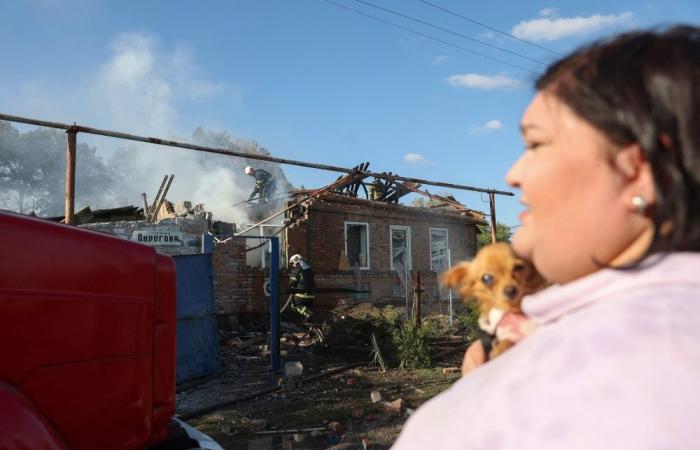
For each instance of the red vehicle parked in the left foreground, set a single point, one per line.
(87, 342)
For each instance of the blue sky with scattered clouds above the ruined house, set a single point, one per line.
(431, 90)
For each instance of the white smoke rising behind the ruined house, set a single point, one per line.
(141, 89)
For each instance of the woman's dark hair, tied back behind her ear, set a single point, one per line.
(644, 87)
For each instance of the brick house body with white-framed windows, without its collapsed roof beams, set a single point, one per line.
(353, 244)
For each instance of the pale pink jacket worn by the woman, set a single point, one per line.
(613, 364)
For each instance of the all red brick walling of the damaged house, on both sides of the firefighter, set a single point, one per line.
(238, 288)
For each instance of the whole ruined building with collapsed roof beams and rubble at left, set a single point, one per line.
(362, 244)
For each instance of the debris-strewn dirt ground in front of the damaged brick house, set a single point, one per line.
(330, 405)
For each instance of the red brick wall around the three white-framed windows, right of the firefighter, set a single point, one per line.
(321, 239)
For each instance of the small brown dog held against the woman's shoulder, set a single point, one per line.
(498, 280)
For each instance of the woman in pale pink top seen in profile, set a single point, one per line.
(610, 181)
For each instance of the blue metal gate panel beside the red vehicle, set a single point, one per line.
(197, 341)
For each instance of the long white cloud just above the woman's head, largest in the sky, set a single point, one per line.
(548, 29)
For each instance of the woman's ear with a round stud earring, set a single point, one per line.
(637, 177)
